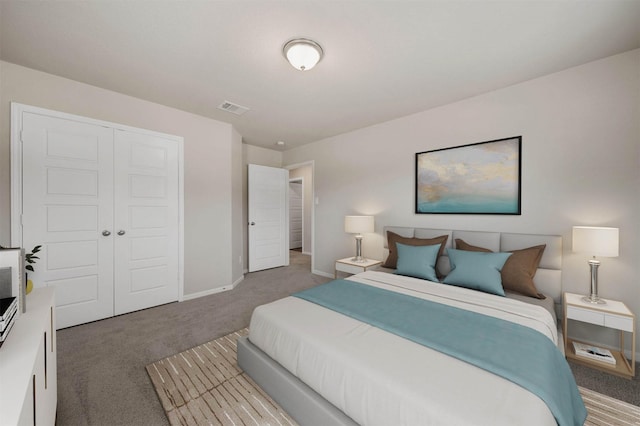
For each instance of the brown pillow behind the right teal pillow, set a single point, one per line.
(519, 270)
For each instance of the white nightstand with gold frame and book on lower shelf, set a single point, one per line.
(613, 314)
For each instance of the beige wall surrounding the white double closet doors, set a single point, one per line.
(211, 160)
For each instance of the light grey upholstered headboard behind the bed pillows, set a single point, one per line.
(548, 278)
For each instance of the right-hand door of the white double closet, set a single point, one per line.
(146, 221)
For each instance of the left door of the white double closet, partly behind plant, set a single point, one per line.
(67, 207)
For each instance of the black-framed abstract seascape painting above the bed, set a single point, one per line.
(479, 178)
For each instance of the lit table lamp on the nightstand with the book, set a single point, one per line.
(596, 241)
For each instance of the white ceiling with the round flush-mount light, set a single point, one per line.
(383, 59)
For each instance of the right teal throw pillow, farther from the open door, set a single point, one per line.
(476, 270)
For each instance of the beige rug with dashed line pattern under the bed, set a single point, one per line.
(203, 385)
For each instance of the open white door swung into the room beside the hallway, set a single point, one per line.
(268, 217)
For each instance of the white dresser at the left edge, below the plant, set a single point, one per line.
(28, 390)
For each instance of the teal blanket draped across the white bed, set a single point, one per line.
(515, 352)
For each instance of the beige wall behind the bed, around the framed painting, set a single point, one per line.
(580, 166)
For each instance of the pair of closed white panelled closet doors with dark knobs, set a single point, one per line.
(104, 205)
